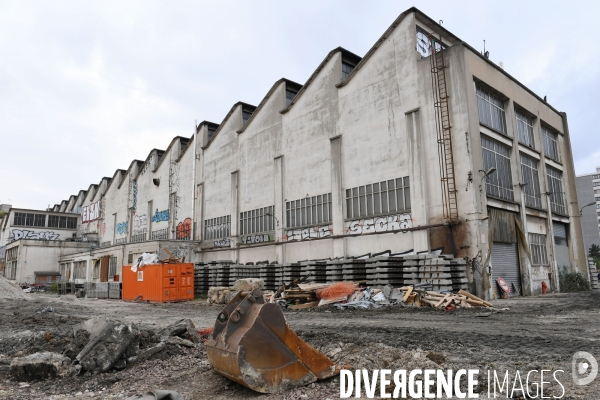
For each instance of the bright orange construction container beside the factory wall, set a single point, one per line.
(159, 282)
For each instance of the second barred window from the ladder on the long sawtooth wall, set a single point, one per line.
(308, 211)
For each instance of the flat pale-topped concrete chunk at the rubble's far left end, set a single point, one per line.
(41, 366)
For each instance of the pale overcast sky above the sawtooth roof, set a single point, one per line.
(86, 87)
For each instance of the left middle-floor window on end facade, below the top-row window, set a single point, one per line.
(499, 183)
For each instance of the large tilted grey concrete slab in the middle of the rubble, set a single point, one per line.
(114, 342)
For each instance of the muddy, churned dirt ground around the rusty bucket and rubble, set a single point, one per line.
(535, 333)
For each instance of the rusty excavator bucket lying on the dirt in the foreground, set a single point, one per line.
(253, 345)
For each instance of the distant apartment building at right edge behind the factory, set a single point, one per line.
(588, 193)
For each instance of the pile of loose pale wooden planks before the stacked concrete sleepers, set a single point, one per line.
(425, 298)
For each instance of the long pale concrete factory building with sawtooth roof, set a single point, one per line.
(423, 144)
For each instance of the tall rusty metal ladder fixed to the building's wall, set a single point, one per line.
(444, 130)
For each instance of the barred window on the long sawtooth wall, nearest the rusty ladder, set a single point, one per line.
(378, 198)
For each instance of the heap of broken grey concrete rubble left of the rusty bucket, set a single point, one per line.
(101, 345)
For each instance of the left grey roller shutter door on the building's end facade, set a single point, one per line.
(505, 264)
